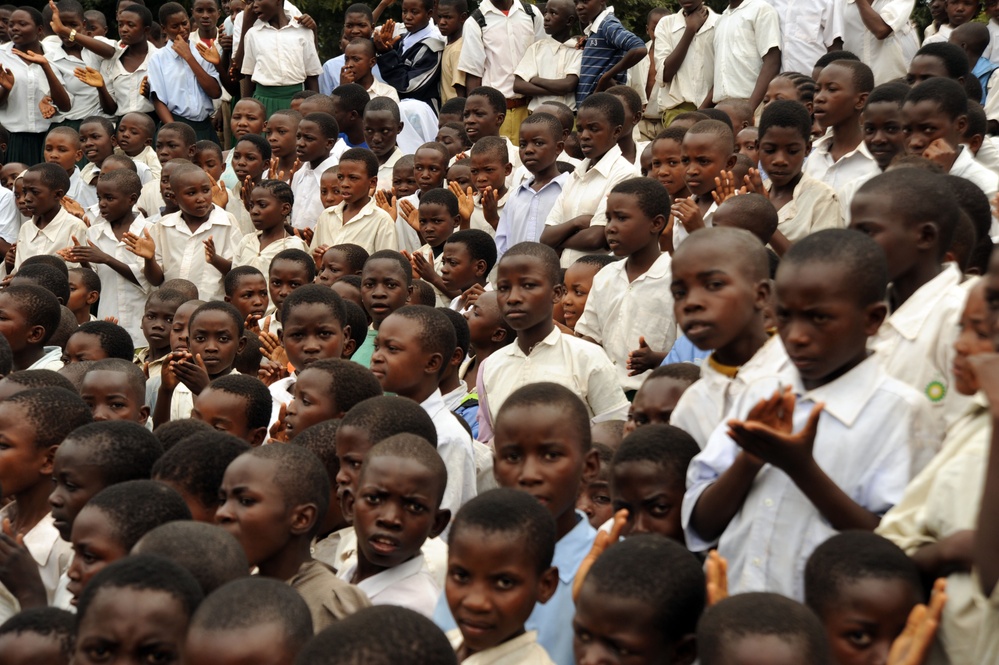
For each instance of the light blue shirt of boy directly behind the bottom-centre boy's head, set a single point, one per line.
(552, 620)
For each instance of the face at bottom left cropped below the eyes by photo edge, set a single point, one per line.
(144, 625)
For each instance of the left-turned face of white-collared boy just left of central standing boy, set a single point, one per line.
(400, 362)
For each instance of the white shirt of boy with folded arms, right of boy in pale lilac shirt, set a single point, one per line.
(586, 192)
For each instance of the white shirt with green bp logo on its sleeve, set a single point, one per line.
(916, 344)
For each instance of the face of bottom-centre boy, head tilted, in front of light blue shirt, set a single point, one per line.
(492, 586)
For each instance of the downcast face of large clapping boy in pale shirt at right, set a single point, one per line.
(820, 321)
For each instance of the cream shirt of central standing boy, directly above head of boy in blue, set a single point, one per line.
(580, 366)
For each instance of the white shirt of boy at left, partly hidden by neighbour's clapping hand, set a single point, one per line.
(120, 297)
